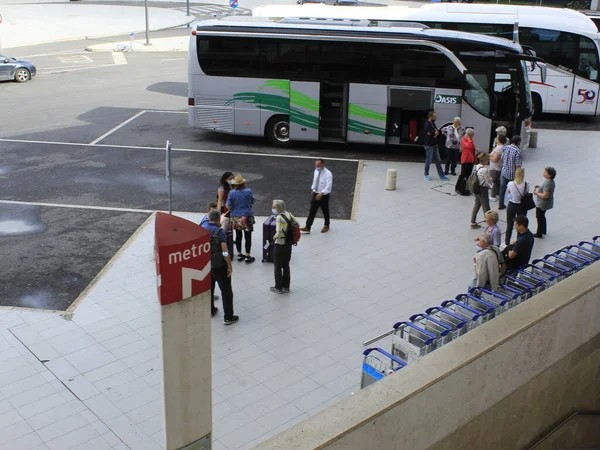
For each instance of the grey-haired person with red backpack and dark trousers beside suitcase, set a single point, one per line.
(283, 247)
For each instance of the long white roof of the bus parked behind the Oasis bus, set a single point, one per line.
(528, 16)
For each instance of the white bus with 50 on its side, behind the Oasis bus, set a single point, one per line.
(565, 39)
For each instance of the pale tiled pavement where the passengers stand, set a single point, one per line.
(93, 380)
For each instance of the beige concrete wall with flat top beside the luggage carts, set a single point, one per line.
(431, 399)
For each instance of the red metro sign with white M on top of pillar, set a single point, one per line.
(182, 258)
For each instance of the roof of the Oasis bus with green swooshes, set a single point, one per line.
(409, 32)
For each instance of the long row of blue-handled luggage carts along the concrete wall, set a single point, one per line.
(439, 325)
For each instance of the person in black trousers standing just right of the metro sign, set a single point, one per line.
(221, 268)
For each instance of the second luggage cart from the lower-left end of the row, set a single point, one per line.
(409, 342)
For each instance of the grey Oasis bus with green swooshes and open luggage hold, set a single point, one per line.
(346, 81)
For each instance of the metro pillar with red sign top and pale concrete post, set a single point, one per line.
(183, 275)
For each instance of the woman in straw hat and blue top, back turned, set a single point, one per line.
(239, 202)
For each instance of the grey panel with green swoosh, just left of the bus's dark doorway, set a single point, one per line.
(304, 111)
